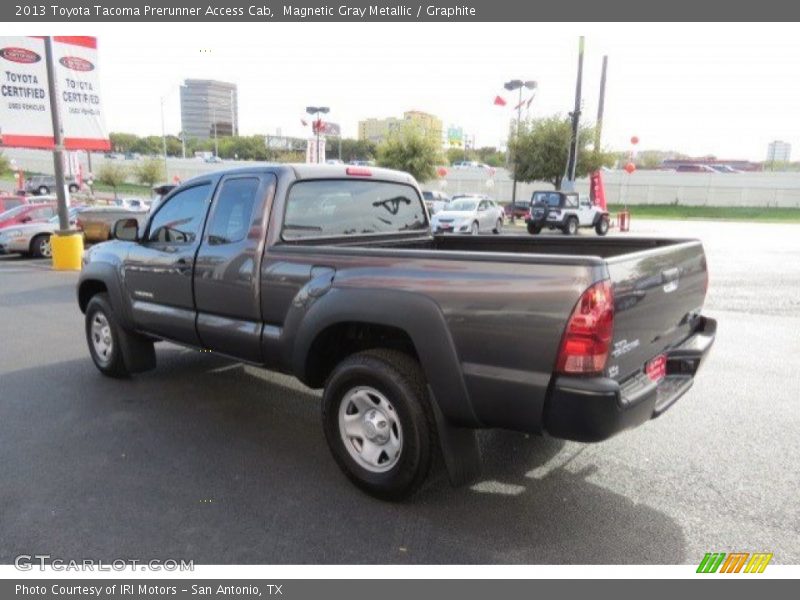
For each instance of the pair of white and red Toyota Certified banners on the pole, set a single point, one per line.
(25, 118)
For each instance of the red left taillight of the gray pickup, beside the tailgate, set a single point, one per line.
(587, 339)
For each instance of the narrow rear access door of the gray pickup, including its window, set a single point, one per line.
(226, 277)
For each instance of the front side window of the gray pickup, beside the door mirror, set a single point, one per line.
(180, 218)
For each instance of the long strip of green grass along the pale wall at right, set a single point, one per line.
(730, 213)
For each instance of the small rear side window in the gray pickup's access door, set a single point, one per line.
(233, 212)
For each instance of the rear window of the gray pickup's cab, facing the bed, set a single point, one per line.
(341, 207)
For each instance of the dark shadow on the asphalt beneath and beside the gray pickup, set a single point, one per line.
(206, 460)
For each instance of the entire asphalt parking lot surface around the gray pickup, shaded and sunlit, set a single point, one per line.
(208, 460)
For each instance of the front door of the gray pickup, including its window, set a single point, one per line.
(158, 270)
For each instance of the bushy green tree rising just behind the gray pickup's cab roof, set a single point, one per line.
(409, 149)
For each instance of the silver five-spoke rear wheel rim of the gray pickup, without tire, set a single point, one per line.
(370, 429)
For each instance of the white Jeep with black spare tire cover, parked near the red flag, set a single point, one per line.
(566, 211)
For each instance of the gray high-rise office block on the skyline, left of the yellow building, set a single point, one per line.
(208, 105)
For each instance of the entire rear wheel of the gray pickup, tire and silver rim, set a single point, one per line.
(378, 423)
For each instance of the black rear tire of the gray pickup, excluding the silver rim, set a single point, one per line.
(399, 378)
